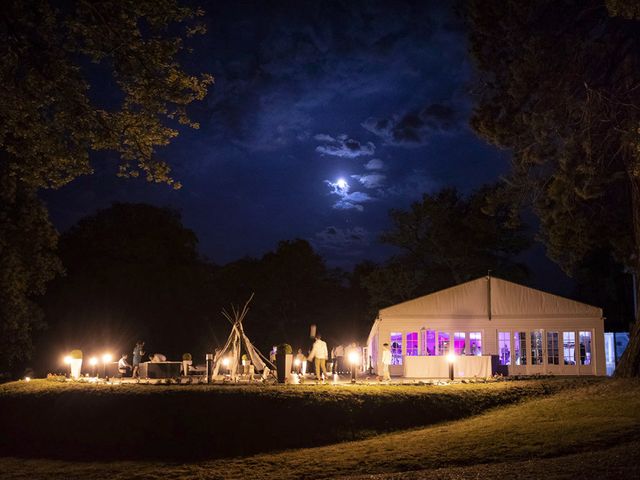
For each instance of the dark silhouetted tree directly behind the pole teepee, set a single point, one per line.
(294, 289)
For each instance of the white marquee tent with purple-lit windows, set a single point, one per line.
(493, 326)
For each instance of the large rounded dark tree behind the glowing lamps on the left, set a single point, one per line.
(133, 271)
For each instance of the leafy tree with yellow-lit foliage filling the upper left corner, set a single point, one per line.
(79, 77)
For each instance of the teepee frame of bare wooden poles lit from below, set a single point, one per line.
(238, 341)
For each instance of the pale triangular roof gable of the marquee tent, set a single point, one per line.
(508, 299)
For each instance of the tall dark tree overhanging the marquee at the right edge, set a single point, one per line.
(559, 86)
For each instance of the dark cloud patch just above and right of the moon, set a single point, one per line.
(415, 127)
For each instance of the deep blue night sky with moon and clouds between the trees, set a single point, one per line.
(324, 115)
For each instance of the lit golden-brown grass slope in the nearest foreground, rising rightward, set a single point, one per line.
(596, 425)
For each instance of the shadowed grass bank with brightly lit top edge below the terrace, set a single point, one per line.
(75, 420)
